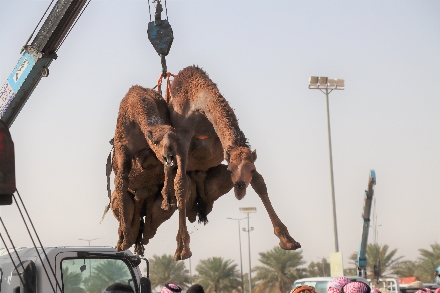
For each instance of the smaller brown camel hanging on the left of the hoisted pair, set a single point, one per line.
(142, 129)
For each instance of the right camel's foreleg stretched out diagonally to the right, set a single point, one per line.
(280, 230)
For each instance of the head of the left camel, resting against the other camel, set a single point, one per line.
(163, 142)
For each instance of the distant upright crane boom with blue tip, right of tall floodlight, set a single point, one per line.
(361, 261)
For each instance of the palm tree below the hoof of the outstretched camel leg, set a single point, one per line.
(278, 271)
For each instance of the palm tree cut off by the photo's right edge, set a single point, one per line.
(429, 262)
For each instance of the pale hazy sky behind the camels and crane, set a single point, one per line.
(261, 55)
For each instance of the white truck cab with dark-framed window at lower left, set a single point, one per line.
(69, 270)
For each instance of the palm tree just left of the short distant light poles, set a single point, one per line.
(218, 275)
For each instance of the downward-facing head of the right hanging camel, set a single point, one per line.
(241, 165)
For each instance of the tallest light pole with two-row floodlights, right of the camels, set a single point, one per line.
(324, 83)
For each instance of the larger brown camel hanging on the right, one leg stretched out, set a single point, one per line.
(201, 115)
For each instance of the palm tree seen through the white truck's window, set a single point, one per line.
(106, 273)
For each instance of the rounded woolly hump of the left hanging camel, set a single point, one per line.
(145, 106)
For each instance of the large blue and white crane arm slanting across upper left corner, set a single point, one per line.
(37, 57)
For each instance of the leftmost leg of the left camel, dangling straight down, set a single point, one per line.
(122, 203)
